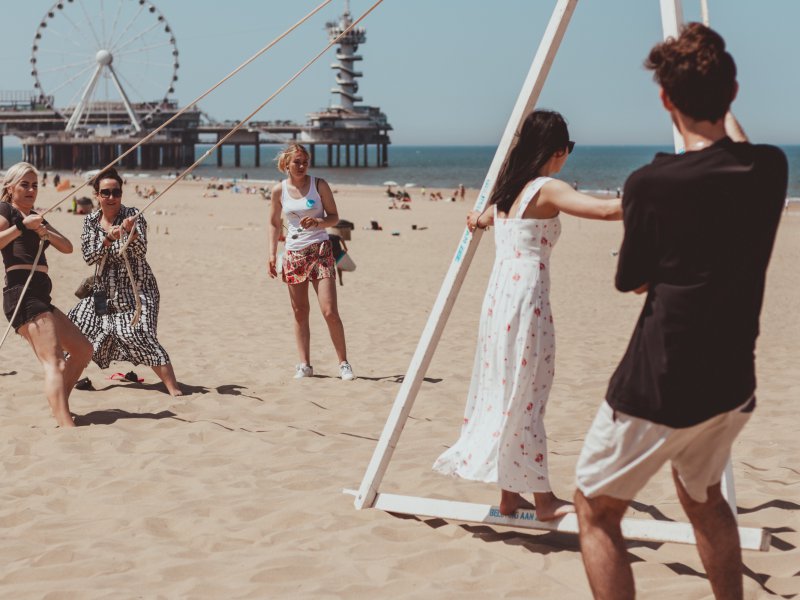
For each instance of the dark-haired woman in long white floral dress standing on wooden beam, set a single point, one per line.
(503, 438)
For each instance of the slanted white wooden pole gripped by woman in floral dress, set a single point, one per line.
(526, 100)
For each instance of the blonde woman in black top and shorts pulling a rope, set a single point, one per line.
(49, 332)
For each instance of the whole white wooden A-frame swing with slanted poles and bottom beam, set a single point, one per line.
(368, 496)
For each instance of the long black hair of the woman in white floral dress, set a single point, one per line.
(543, 133)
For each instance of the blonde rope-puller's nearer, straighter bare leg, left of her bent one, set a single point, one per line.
(41, 334)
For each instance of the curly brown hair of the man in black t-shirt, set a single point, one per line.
(696, 72)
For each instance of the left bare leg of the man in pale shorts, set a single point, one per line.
(603, 548)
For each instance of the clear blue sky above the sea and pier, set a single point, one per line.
(449, 71)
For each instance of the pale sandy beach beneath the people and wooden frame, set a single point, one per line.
(235, 490)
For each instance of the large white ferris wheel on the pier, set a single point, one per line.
(104, 62)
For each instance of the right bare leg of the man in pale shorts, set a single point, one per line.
(717, 540)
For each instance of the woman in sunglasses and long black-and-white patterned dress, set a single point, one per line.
(126, 329)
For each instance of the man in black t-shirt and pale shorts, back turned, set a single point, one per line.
(699, 231)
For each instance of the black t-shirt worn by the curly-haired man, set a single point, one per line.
(699, 230)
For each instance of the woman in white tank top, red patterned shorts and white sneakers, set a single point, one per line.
(307, 204)
